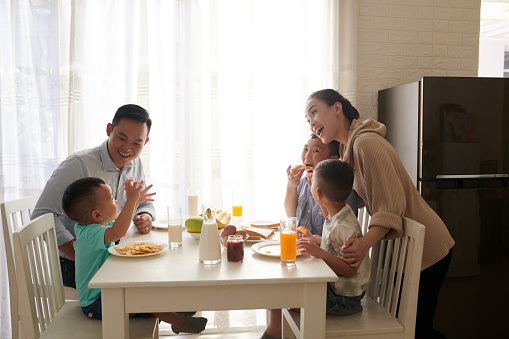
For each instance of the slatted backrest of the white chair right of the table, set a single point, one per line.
(395, 273)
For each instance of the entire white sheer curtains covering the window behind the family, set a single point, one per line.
(225, 83)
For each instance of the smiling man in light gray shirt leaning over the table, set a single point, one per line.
(115, 160)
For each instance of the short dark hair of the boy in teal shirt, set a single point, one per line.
(79, 200)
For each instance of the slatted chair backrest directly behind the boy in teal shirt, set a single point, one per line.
(40, 290)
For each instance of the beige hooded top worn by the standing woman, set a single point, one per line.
(387, 190)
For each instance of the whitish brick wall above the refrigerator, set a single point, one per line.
(400, 41)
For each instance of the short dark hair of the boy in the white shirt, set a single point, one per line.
(334, 178)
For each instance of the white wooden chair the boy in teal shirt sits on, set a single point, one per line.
(44, 311)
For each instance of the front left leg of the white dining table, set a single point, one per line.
(115, 319)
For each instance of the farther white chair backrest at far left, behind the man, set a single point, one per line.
(14, 213)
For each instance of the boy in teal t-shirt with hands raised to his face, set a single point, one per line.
(89, 201)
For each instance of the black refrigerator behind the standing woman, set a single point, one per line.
(452, 134)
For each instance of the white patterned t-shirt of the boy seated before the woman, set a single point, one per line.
(336, 231)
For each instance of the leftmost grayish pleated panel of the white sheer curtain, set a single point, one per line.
(32, 142)
